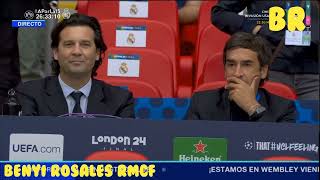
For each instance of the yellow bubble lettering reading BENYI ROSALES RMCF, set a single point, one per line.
(78, 170)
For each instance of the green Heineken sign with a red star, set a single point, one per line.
(199, 149)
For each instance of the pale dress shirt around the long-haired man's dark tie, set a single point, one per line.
(67, 90)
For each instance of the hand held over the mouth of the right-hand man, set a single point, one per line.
(242, 94)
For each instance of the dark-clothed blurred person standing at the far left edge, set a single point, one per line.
(9, 52)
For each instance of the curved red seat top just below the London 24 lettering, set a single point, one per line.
(116, 156)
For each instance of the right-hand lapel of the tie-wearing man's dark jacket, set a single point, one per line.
(97, 101)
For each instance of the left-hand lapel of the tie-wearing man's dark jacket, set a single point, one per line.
(54, 98)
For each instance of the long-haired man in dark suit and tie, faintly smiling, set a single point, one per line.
(78, 47)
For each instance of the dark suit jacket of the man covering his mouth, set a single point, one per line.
(215, 105)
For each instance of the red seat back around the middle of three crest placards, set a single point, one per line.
(159, 37)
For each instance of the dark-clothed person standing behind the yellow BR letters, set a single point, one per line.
(296, 66)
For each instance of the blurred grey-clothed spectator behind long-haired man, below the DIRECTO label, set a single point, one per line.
(36, 65)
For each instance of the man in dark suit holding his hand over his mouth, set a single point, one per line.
(246, 59)
